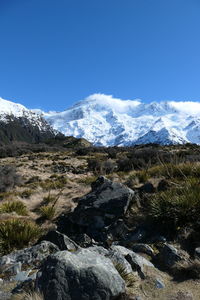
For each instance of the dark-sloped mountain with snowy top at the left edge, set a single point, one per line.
(17, 123)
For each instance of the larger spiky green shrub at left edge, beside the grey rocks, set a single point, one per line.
(17, 234)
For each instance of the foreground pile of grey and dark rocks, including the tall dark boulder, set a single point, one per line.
(95, 255)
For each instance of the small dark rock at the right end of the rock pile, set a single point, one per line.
(169, 256)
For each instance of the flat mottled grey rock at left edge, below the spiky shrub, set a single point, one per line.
(12, 265)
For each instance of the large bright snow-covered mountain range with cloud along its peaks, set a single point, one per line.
(104, 120)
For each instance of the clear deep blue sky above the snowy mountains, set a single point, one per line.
(56, 52)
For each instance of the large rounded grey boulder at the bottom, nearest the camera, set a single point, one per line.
(79, 275)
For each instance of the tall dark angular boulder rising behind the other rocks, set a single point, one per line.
(104, 205)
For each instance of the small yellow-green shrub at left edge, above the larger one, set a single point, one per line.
(14, 206)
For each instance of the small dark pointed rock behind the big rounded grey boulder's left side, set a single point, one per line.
(60, 240)
